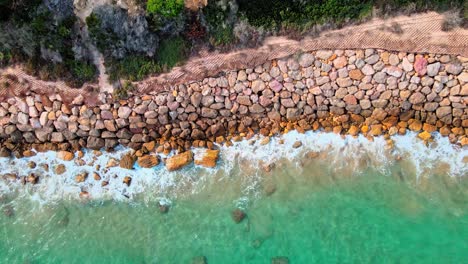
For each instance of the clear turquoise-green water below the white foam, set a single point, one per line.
(310, 218)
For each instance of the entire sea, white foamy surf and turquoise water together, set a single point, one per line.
(333, 200)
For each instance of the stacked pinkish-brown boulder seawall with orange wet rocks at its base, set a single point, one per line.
(370, 92)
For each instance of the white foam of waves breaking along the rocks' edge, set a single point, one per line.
(157, 184)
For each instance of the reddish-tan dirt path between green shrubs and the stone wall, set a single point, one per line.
(419, 33)
